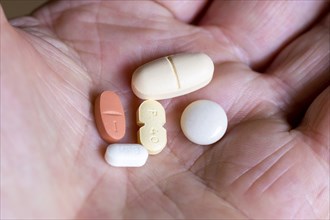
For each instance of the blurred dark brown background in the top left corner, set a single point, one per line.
(15, 8)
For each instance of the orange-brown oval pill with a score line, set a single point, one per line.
(110, 117)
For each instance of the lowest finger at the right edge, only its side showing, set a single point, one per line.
(316, 125)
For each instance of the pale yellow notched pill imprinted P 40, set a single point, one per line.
(152, 134)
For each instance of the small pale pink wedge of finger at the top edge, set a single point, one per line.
(184, 11)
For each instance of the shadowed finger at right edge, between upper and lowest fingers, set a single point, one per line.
(301, 70)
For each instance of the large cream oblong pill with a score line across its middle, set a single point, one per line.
(172, 76)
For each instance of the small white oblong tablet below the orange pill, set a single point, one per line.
(126, 155)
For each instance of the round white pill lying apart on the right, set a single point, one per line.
(204, 122)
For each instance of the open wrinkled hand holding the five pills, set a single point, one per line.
(271, 77)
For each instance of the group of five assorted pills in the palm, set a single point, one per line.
(164, 78)
